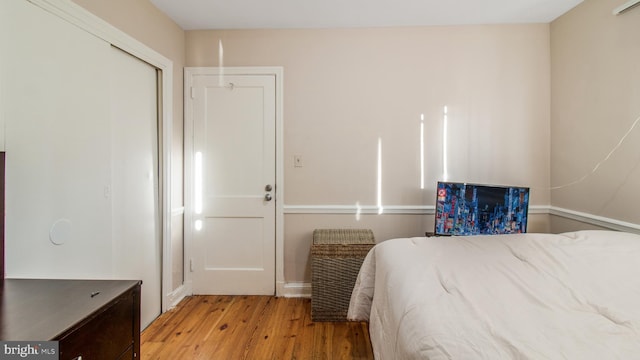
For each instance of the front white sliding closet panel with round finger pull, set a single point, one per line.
(56, 112)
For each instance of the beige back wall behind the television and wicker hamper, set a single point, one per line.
(347, 89)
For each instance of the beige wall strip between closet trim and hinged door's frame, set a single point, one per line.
(144, 22)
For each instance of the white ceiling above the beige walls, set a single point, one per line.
(281, 14)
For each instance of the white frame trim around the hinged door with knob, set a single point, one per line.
(189, 72)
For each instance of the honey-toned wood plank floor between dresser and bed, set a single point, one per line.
(251, 327)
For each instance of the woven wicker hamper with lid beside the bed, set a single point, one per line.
(336, 257)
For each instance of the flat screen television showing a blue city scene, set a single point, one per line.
(476, 209)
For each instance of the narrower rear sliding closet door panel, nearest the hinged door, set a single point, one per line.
(134, 189)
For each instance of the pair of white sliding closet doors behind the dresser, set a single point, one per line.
(81, 136)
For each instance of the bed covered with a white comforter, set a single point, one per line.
(527, 296)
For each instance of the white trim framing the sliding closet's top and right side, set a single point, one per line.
(85, 20)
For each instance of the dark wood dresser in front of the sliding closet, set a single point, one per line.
(91, 319)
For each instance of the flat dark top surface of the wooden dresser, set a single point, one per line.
(42, 309)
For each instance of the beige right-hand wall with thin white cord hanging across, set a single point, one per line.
(595, 90)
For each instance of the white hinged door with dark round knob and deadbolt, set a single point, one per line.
(234, 184)
